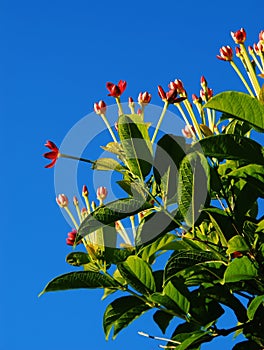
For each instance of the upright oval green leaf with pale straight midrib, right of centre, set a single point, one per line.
(194, 180)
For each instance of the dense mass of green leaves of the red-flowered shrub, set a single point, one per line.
(199, 203)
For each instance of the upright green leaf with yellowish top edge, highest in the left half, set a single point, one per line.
(133, 133)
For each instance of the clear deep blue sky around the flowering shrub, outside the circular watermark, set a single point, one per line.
(55, 60)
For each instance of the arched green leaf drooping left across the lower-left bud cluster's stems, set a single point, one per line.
(109, 213)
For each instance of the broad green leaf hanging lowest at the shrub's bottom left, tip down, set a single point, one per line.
(121, 312)
